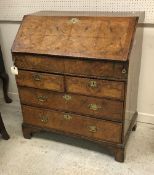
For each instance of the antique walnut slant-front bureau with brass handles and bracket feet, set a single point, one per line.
(78, 75)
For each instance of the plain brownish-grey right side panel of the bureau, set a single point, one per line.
(133, 79)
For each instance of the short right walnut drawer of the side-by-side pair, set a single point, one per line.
(94, 87)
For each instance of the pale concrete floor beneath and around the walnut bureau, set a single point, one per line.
(51, 154)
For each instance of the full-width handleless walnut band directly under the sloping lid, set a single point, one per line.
(92, 68)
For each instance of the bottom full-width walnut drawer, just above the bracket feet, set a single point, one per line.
(71, 123)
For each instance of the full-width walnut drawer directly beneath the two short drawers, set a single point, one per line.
(95, 107)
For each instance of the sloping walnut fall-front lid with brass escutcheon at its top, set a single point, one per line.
(104, 38)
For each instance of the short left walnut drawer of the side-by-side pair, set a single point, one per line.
(40, 80)
